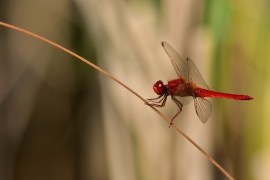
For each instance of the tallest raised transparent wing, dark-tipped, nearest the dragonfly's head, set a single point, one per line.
(180, 66)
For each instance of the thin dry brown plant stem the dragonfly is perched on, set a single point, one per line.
(113, 78)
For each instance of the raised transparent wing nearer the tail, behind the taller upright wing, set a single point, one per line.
(195, 75)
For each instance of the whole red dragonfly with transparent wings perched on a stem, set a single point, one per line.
(189, 85)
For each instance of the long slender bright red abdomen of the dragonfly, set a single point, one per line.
(207, 93)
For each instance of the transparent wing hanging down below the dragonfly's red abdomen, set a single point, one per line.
(203, 108)
